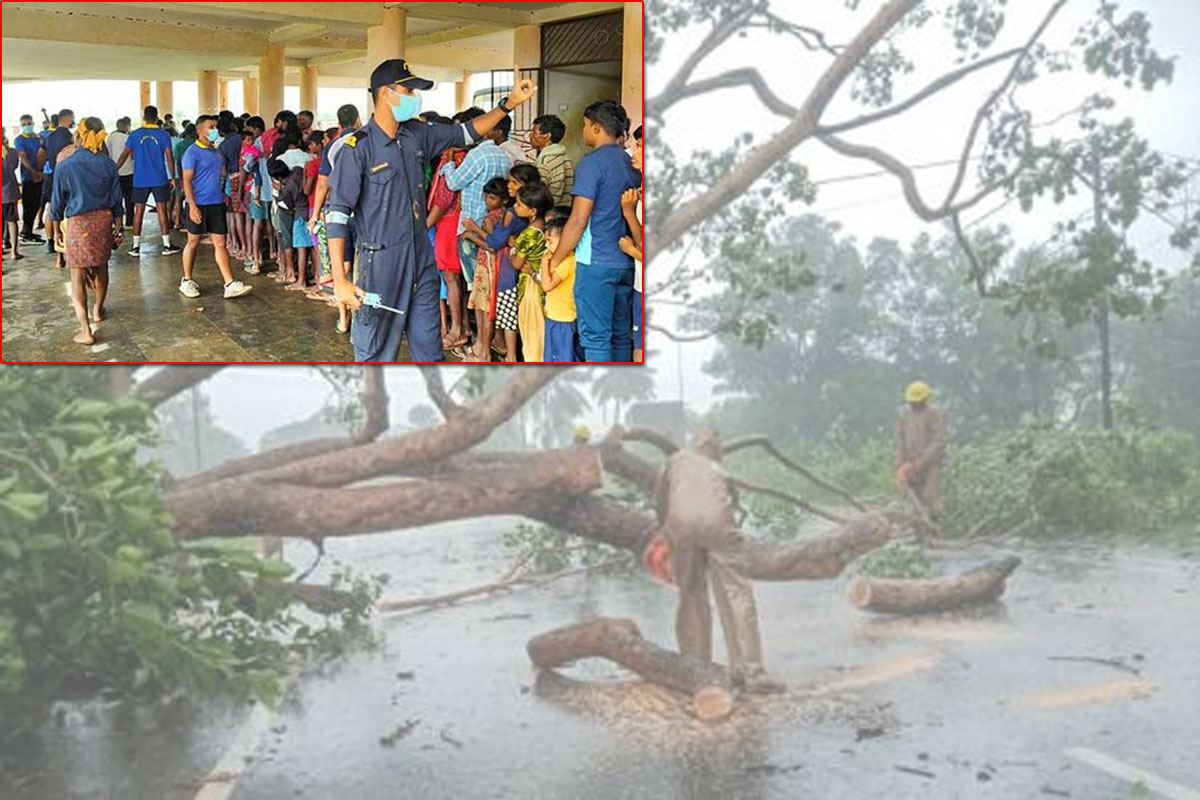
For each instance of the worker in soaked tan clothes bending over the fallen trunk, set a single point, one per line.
(698, 540)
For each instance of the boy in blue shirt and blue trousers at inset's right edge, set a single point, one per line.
(604, 279)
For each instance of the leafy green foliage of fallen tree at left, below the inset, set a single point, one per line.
(95, 593)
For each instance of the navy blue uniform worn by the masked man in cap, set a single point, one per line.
(380, 181)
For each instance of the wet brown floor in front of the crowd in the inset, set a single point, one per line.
(151, 321)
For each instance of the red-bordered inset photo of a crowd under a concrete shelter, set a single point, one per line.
(196, 183)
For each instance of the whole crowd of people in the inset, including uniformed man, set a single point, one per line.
(460, 238)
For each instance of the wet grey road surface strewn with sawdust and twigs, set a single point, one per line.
(961, 706)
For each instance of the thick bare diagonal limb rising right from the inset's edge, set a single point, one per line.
(803, 125)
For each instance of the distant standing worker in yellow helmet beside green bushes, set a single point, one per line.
(921, 448)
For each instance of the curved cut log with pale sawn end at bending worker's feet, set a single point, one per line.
(621, 641)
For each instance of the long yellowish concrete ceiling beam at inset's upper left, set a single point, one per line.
(86, 29)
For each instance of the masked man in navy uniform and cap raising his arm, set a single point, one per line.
(379, 178)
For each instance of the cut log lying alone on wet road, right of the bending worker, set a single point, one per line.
(922, 597)
